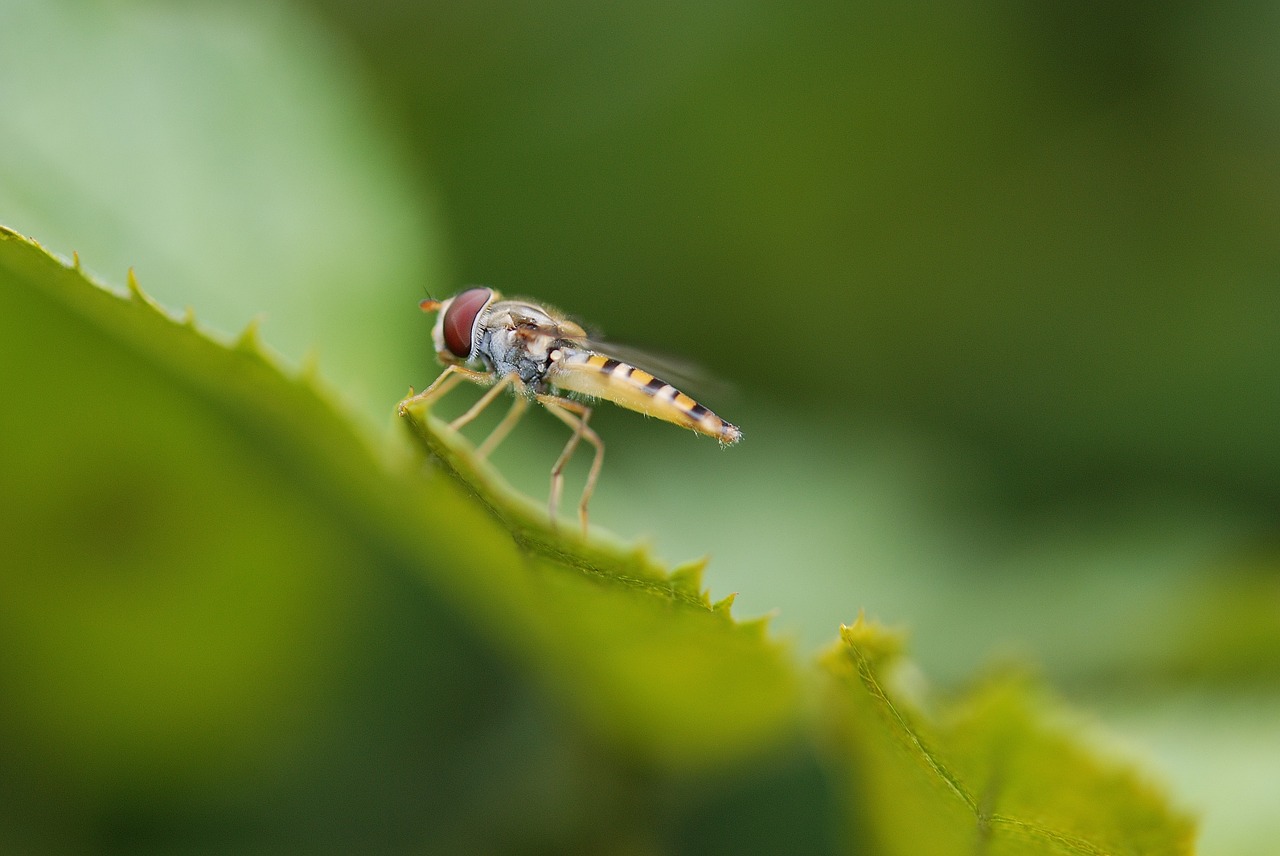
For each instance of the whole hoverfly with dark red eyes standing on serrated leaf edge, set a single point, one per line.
(541, 356)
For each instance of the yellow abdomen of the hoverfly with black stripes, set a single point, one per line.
(637, 390)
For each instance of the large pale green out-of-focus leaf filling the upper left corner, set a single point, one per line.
(228, 153)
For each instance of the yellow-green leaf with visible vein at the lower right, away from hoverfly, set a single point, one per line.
(996, 772)
